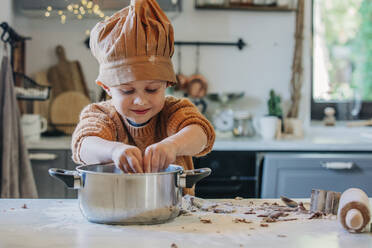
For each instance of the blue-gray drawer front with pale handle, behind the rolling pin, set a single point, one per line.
(295, 174)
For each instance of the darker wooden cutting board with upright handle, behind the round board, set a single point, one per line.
(66, 75)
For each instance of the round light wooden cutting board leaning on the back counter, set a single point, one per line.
(65, 110)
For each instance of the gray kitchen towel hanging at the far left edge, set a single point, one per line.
(17, 180)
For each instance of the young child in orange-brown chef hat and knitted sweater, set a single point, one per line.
(139, 129)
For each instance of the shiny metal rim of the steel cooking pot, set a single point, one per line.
(177, 169)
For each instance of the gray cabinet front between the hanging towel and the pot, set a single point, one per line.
(41, 162)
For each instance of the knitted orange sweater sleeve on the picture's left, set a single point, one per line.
(94, 120)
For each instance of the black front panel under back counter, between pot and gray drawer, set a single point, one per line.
(234, 173)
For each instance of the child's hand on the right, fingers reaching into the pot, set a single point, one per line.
(159, 156)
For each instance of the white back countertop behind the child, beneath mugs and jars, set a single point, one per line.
(317, 138)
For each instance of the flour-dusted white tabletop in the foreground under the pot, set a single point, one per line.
(59, 223)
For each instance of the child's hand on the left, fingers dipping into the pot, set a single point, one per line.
(128, 158)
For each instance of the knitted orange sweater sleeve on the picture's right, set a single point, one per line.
(182, 113)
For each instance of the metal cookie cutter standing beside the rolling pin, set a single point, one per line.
(324, 201)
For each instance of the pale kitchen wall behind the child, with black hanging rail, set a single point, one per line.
(264, 64)
